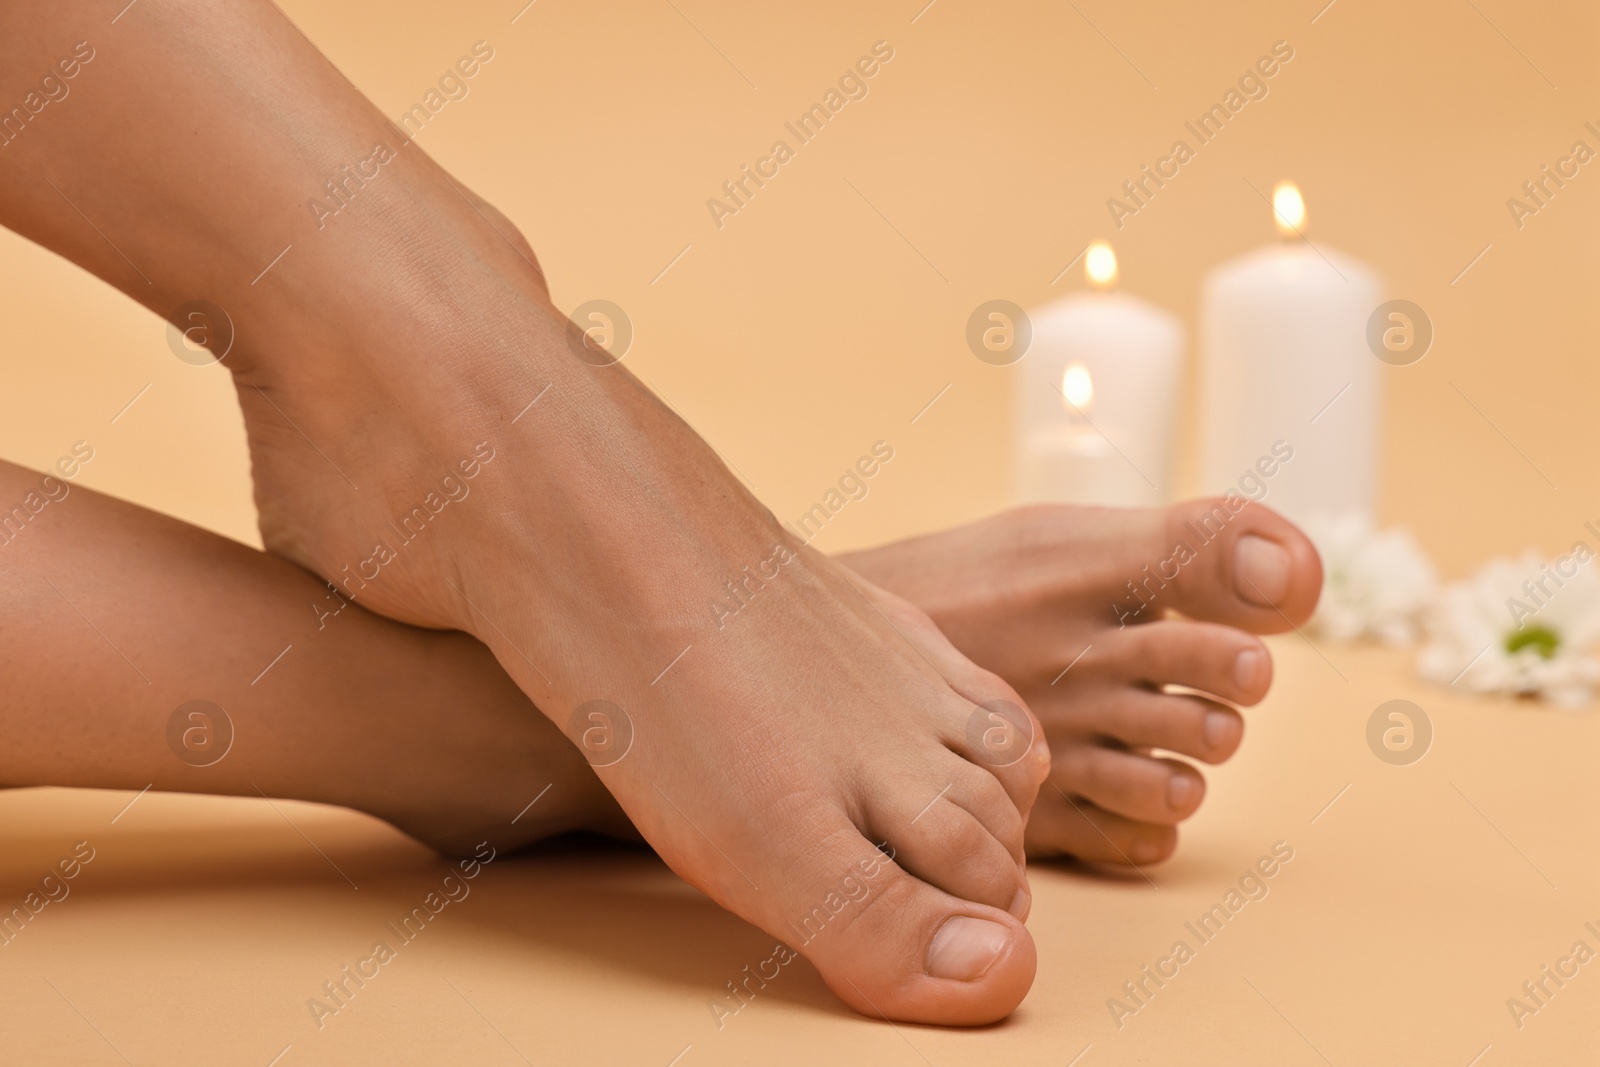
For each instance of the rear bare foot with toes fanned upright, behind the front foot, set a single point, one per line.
(1071, 607)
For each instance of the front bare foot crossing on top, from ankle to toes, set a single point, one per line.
(479, 474)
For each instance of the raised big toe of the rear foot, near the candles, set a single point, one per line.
(1249, 567)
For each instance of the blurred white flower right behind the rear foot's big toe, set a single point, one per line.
(1377, 585)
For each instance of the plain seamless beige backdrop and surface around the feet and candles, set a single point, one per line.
(817, 322)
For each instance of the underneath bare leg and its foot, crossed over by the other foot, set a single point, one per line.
(119, 617)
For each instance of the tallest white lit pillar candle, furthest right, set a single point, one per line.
(1284, 359)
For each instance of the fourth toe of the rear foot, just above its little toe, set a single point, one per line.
(1135, 786)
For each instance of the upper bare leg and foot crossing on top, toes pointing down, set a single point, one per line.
(391, 359)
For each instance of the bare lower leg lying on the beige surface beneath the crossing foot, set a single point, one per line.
(122, 618)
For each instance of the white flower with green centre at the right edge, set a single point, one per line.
(1521, 628)
